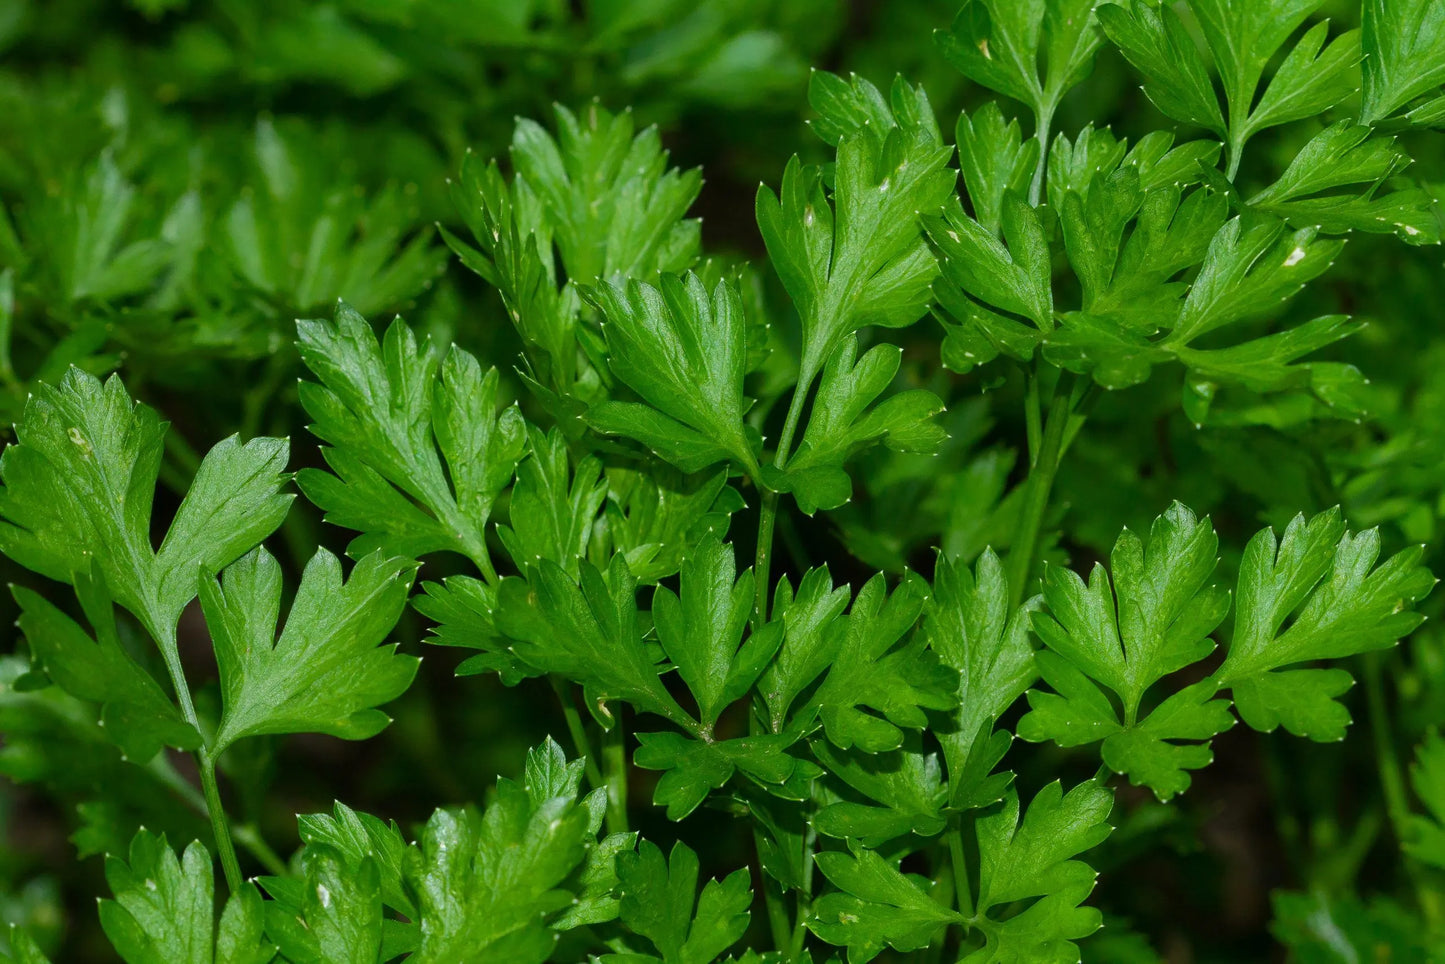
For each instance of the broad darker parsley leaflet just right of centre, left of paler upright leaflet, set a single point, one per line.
(884, 677)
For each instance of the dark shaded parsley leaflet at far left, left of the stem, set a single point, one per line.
(137, 712)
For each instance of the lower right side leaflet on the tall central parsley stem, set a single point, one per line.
(847, 418)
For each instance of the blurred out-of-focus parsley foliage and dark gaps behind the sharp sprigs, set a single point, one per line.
(180, 180)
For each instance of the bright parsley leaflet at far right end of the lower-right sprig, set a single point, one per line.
(1323, 580)
